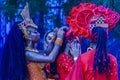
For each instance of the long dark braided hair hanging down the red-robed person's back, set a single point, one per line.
(101, 59)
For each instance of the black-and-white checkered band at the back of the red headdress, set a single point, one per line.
(98, 21)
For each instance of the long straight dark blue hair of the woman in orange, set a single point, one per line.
(13, 63)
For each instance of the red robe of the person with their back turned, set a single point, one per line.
(83, 68)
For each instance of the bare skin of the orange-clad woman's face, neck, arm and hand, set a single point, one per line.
(32, 38)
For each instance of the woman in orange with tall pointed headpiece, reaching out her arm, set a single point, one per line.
(19, 58)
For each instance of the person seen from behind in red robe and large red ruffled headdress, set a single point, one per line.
(93, 22)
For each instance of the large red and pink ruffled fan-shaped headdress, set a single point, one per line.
(80, 18)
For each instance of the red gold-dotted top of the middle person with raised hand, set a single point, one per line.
(64, 65)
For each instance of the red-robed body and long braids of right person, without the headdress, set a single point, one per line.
(96, 64)
